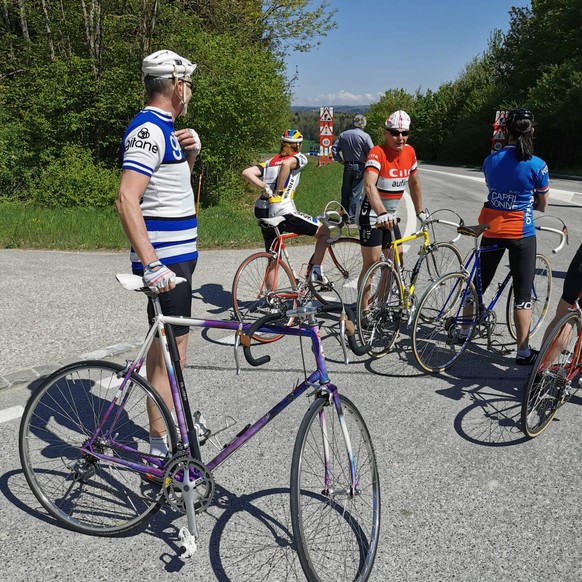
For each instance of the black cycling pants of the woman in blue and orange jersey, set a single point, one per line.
(522, 263)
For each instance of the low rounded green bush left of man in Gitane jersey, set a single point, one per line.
(74, 179)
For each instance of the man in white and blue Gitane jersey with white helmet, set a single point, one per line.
(156, 206)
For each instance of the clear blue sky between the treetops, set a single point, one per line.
(382, 44)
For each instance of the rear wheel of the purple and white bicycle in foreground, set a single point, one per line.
(81, 492)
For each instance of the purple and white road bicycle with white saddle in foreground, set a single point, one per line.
(84, 449)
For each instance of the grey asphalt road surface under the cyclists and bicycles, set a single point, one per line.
(464, 496)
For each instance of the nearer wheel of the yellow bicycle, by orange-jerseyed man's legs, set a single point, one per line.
(380, 315)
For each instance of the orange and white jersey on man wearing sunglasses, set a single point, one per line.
(393, 169)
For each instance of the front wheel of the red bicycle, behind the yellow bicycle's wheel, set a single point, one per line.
(342, 265)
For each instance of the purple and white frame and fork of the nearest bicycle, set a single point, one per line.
(318, 380)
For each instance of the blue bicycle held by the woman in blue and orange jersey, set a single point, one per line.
(452, 310)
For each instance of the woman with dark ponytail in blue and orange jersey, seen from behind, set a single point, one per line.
(518, 183)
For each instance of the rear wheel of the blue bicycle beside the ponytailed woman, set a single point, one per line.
(439, 326)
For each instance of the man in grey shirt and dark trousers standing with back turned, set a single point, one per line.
(351, 149)
